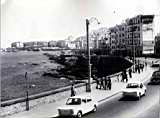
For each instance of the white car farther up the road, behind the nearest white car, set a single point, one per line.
(135, 89)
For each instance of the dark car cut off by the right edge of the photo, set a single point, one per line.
(155, 79)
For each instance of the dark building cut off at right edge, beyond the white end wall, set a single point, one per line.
(157, 45)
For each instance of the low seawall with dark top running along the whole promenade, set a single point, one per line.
(18, 105)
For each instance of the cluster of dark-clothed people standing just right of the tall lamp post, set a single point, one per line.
(103, 83)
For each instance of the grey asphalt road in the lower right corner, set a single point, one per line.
(120, 107)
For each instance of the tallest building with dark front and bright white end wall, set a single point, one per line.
(140, 30)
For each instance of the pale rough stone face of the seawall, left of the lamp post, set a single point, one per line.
(21, 106)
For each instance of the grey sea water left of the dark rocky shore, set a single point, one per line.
(13, 68)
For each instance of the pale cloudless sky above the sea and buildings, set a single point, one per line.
(44, 20)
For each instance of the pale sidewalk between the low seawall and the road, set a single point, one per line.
(50, 110)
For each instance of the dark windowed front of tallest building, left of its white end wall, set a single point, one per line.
(134, 37)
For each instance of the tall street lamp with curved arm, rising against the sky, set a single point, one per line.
(92, 19)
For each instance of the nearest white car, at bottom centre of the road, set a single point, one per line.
(77, 106)
